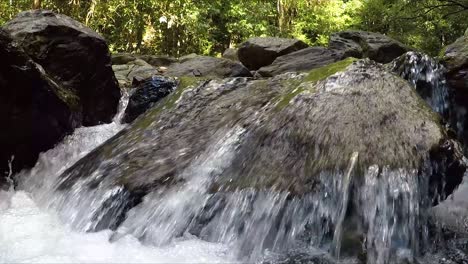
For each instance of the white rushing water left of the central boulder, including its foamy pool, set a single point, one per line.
(31, 231)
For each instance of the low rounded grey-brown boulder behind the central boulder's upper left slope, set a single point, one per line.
(203, 66)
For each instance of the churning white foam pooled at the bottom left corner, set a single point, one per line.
(29, 234)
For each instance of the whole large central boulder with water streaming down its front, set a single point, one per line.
(345, 157)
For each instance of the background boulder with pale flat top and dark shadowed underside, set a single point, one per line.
(262, 51)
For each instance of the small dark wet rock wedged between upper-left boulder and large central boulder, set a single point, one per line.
(146, 95)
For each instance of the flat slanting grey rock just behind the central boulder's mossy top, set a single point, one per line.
(302, 60)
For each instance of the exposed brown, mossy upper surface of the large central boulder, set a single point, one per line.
(292, 129)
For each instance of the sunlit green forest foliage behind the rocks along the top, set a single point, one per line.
(180, 27)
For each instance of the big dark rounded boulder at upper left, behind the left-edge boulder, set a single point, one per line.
(74, 56)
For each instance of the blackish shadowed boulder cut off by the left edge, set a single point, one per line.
(33, 113)
